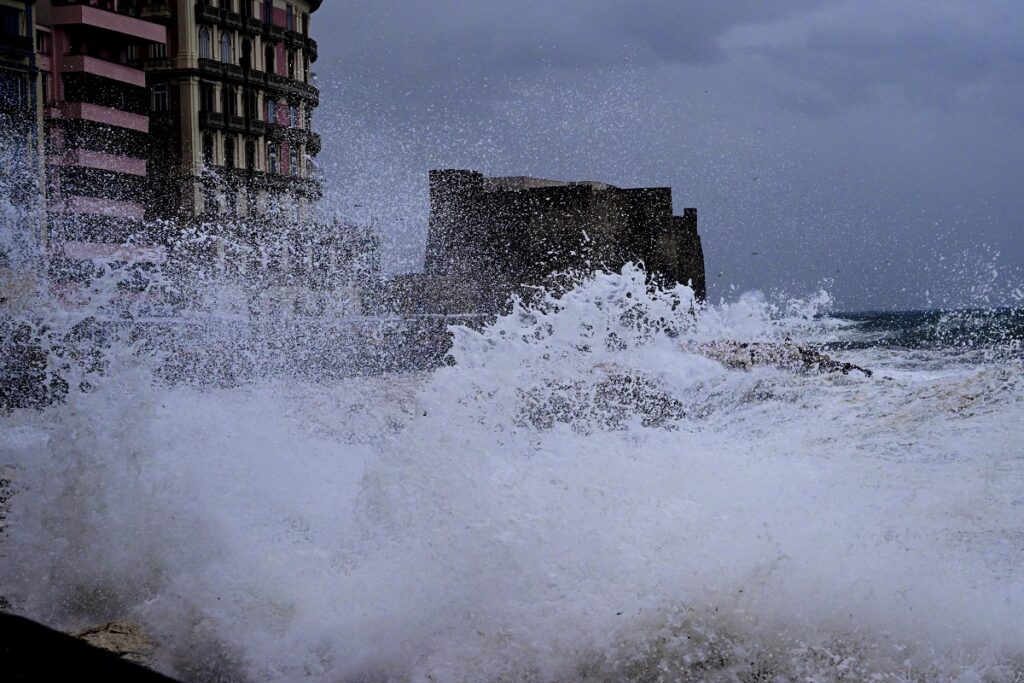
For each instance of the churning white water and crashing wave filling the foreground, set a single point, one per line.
(582, 496)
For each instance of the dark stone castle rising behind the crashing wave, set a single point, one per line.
(493, 237)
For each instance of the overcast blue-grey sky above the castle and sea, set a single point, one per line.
(875, 148)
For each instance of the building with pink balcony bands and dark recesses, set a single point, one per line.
(96, 107)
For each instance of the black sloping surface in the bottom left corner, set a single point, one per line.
(30, 652)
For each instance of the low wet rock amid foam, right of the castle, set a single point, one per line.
(786, 356)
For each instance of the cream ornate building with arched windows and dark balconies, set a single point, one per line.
(232, 103)
